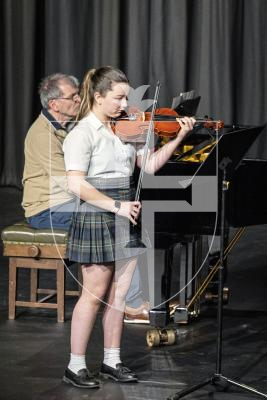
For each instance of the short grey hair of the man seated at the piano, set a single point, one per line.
(49, 87)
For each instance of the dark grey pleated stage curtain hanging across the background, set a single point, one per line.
(216, 47)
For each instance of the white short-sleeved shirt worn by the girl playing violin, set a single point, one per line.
(92, 148)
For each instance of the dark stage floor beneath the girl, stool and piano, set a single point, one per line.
(34, 348)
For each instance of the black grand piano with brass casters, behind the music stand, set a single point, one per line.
(246, 204)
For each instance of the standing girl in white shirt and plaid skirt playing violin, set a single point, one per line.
(99, 168)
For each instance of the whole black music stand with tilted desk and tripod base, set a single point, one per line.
(231, 150)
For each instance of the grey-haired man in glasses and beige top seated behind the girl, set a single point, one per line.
(47, 201)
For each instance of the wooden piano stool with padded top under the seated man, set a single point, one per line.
(37, 249)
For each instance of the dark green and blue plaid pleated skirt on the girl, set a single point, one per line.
(97, 236)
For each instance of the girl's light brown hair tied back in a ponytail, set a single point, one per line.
(98, 80)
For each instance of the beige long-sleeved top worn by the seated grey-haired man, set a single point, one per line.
(44, 177)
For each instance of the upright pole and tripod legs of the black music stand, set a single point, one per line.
(217, 377)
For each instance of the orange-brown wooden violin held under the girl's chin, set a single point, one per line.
(166, 123)
